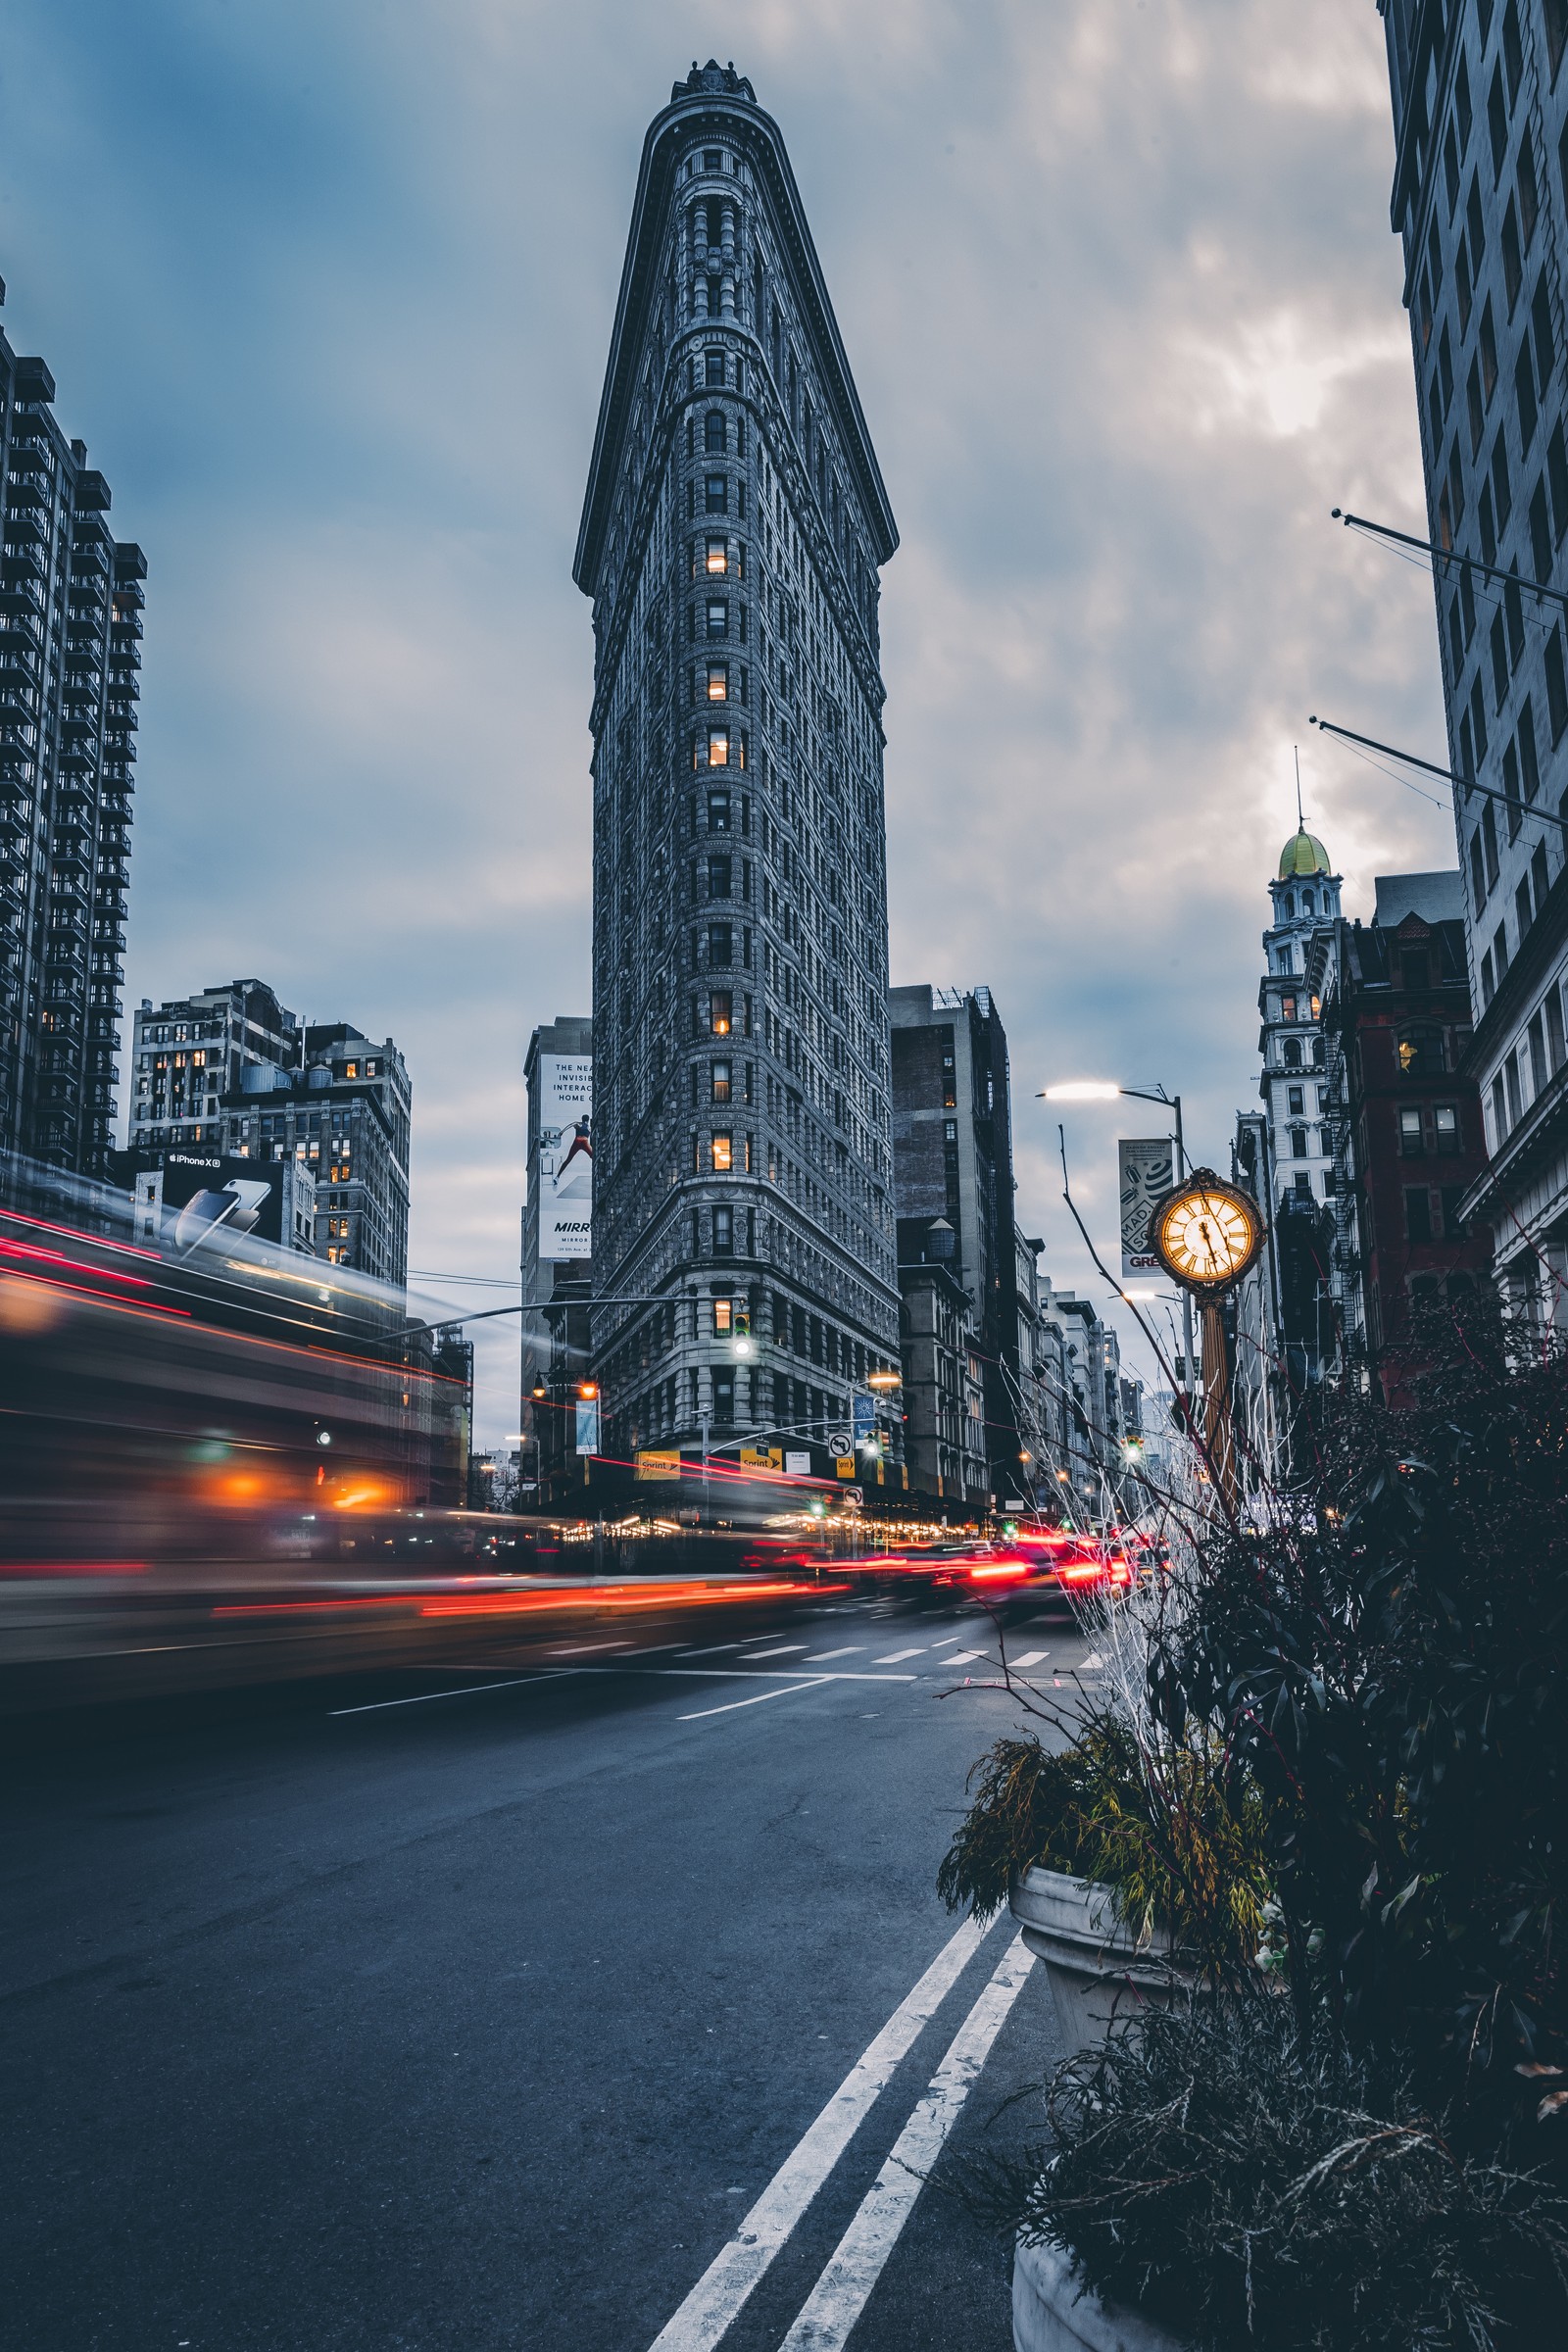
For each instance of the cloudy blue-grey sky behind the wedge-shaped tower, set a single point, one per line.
(328, 293)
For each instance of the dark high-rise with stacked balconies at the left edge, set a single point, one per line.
(69, 660)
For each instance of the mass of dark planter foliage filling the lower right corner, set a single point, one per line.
(1339, 1786)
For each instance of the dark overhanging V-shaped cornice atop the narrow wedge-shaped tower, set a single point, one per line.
(753, 133)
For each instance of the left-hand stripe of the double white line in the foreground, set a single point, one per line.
(718, 2297)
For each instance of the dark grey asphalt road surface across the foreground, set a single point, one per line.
(356, 2017)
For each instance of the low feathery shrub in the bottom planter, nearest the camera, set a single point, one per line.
(1254, 2191)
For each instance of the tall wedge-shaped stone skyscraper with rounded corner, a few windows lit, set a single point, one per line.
(732, 540)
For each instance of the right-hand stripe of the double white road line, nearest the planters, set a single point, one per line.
(855, 2269)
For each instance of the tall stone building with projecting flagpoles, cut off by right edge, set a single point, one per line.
(1482, 211)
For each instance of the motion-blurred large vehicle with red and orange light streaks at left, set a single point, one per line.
(222, 1462)
